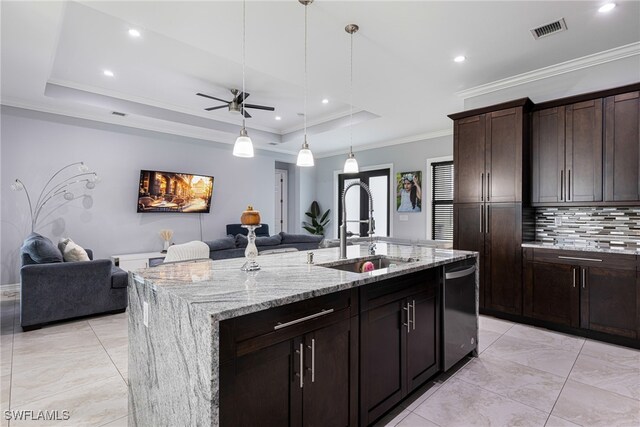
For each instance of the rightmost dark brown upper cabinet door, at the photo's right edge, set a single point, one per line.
(622, 148)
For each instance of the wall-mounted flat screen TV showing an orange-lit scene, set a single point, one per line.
(161, 191)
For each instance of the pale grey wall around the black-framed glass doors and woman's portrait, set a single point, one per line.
(404, 157)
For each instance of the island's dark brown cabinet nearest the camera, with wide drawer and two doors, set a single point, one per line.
(293, 372)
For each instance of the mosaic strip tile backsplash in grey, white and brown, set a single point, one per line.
(602, 227)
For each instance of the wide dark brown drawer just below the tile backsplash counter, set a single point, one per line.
(586, 258)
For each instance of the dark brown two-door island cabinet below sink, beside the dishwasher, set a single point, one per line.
(399, 340)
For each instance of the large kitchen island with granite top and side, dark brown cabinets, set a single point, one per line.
(198, 329)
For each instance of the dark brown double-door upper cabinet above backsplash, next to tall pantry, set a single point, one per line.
(567, 154)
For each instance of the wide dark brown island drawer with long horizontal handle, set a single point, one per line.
(255, 330)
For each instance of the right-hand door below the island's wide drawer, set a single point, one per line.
(330, 376)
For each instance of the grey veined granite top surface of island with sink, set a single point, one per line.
(222, 290)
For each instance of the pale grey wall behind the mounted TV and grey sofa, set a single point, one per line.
(34, 145)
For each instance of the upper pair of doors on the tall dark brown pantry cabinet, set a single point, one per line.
(488, 150)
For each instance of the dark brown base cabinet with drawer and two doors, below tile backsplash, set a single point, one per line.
(593, 291)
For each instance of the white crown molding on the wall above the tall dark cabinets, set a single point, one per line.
(592, 60)
